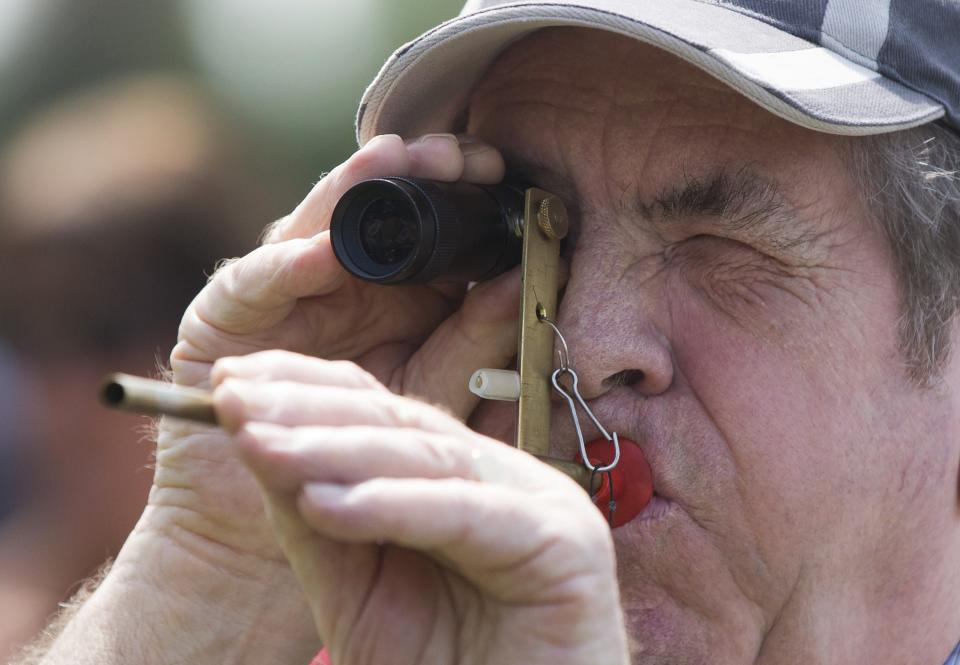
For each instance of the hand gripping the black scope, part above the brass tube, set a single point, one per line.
(292, 293)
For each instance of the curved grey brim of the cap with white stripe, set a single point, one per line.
(425, 85)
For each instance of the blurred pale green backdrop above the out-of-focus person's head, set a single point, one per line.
(289, 71)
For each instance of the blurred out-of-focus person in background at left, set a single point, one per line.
(113, 208)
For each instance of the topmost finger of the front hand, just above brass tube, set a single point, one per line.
(277, 365)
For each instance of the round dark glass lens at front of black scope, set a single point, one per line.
(389, 231)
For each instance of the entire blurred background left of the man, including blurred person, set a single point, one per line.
(140, 143)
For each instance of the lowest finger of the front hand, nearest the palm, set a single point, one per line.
(497, 536)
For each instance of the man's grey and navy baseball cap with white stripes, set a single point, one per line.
(852, 67)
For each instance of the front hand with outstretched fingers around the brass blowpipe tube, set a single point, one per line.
(415, 538)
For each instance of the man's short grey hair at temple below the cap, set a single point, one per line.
(911, 183)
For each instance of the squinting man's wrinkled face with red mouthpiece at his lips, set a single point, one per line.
(731, 309)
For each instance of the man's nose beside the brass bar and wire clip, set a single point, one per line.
(614, 338)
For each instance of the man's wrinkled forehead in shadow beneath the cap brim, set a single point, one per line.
(609, 93)
